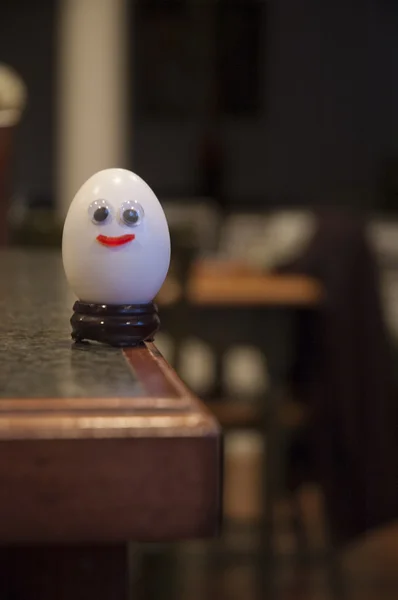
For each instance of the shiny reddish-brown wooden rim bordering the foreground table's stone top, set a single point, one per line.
(169, 410)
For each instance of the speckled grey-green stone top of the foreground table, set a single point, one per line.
(37, 356)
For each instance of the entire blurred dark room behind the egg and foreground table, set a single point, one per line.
(269, 131)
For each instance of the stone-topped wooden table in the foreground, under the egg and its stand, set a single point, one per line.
(99, 447)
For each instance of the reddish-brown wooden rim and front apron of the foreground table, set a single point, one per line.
(144, 468)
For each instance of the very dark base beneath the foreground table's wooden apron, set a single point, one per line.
(64, 573)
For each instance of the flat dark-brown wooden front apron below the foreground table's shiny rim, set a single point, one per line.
(109, 491)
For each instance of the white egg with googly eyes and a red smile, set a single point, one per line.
(116, 242)
